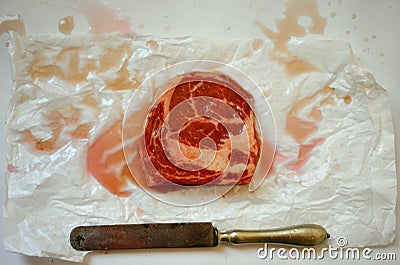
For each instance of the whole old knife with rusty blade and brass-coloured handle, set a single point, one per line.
(184, 235)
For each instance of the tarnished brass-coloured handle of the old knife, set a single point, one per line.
(301, 235)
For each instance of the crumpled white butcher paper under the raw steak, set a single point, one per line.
(347, 182)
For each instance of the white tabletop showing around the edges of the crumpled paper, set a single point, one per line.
(214, 19)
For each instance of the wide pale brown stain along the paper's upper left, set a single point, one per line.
(70, 65)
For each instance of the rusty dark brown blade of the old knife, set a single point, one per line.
(138, 236)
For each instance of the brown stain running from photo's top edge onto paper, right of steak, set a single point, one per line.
(288, 27)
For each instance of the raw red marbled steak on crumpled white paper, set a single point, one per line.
(201, 130)
